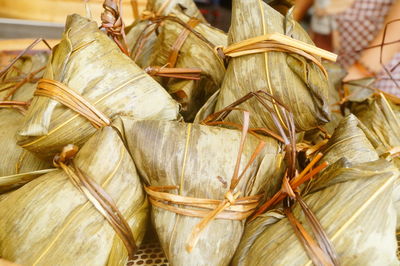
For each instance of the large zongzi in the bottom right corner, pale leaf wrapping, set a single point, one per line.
(354, 204)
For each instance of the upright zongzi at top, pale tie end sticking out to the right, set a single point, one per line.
(263, 59)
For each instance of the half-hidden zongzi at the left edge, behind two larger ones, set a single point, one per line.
(18, 166)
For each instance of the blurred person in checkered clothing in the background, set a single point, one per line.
(354, 29)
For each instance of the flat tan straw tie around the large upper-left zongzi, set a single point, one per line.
(72, 99)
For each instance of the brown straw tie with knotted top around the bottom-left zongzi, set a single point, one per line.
(97, 196)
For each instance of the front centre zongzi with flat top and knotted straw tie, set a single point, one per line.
(186, 187)
